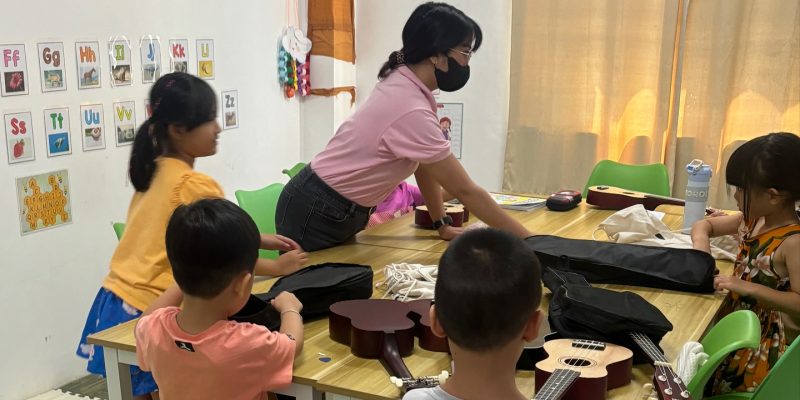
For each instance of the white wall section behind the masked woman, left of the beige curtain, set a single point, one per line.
(379, 25)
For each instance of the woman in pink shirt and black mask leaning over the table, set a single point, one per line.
(394, 134)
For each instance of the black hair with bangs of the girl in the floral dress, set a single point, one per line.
(769, 161)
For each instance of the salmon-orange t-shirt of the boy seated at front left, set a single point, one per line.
(229, 360)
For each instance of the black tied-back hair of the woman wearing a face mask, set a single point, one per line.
(433, 28)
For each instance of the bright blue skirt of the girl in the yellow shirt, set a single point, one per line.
(108, 311)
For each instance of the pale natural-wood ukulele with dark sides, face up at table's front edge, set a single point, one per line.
(577, 369)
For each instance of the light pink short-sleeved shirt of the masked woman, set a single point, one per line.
(384, 141)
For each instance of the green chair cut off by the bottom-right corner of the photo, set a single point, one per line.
(780, 383)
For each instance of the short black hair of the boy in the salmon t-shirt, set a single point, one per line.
(210, 242)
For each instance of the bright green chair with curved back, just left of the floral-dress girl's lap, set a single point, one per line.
(737, 330)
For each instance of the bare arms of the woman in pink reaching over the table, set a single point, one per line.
(452, 177)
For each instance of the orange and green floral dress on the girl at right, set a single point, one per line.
(745, 369)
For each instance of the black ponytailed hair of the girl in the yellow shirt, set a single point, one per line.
(177, 99)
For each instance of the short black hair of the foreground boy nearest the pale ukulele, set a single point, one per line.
(488, 286)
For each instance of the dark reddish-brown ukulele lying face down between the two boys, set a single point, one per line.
(385, 329)
